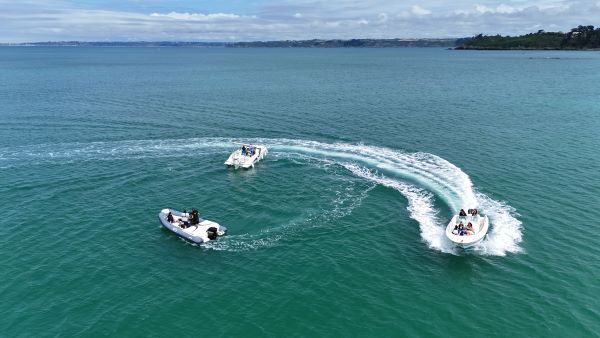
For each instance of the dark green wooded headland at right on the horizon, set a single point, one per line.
(582, 37)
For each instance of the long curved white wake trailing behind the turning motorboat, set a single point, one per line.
(419, 177)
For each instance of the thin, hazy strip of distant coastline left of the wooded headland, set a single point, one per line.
(314, 43)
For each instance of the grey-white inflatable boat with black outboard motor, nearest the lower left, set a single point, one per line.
(191, 228)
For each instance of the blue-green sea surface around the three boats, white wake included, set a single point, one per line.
(339, 232)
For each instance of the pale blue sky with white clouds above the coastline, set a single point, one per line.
(252, 20)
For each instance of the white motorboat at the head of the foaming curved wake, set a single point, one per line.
(467, 230)
